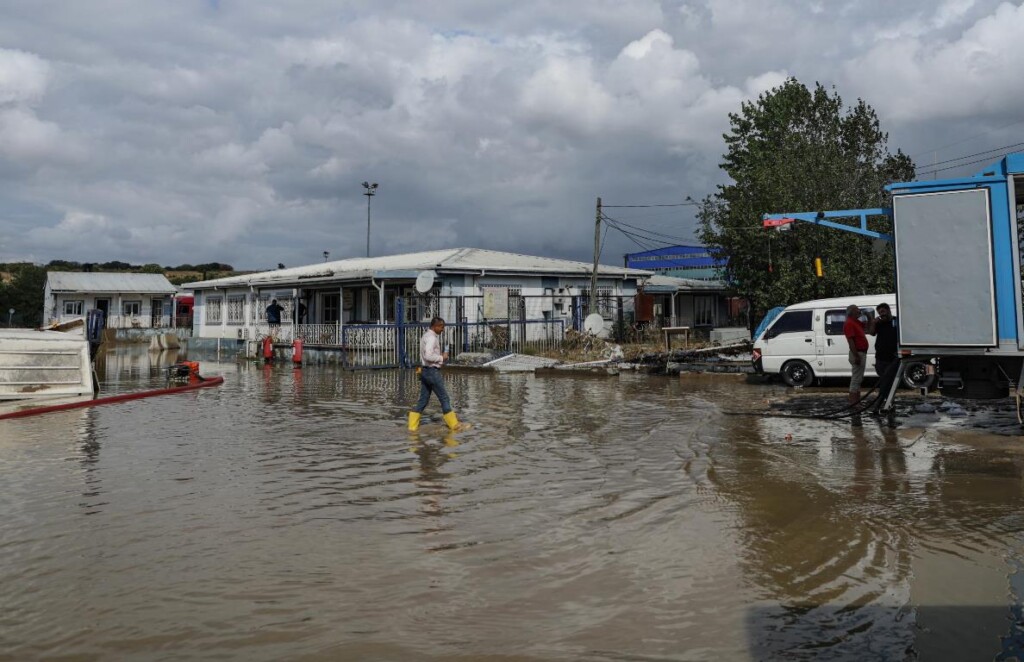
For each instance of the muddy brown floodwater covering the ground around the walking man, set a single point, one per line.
(288, 515)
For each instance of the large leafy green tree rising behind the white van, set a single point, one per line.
(800, 150)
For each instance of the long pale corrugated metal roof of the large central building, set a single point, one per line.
(451, 260)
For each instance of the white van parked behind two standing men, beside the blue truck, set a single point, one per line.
(806, 343)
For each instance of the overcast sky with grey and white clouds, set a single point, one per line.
(240, 131)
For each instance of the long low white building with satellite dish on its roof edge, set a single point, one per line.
(365, 291)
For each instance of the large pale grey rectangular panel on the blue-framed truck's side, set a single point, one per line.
(945, 281)
